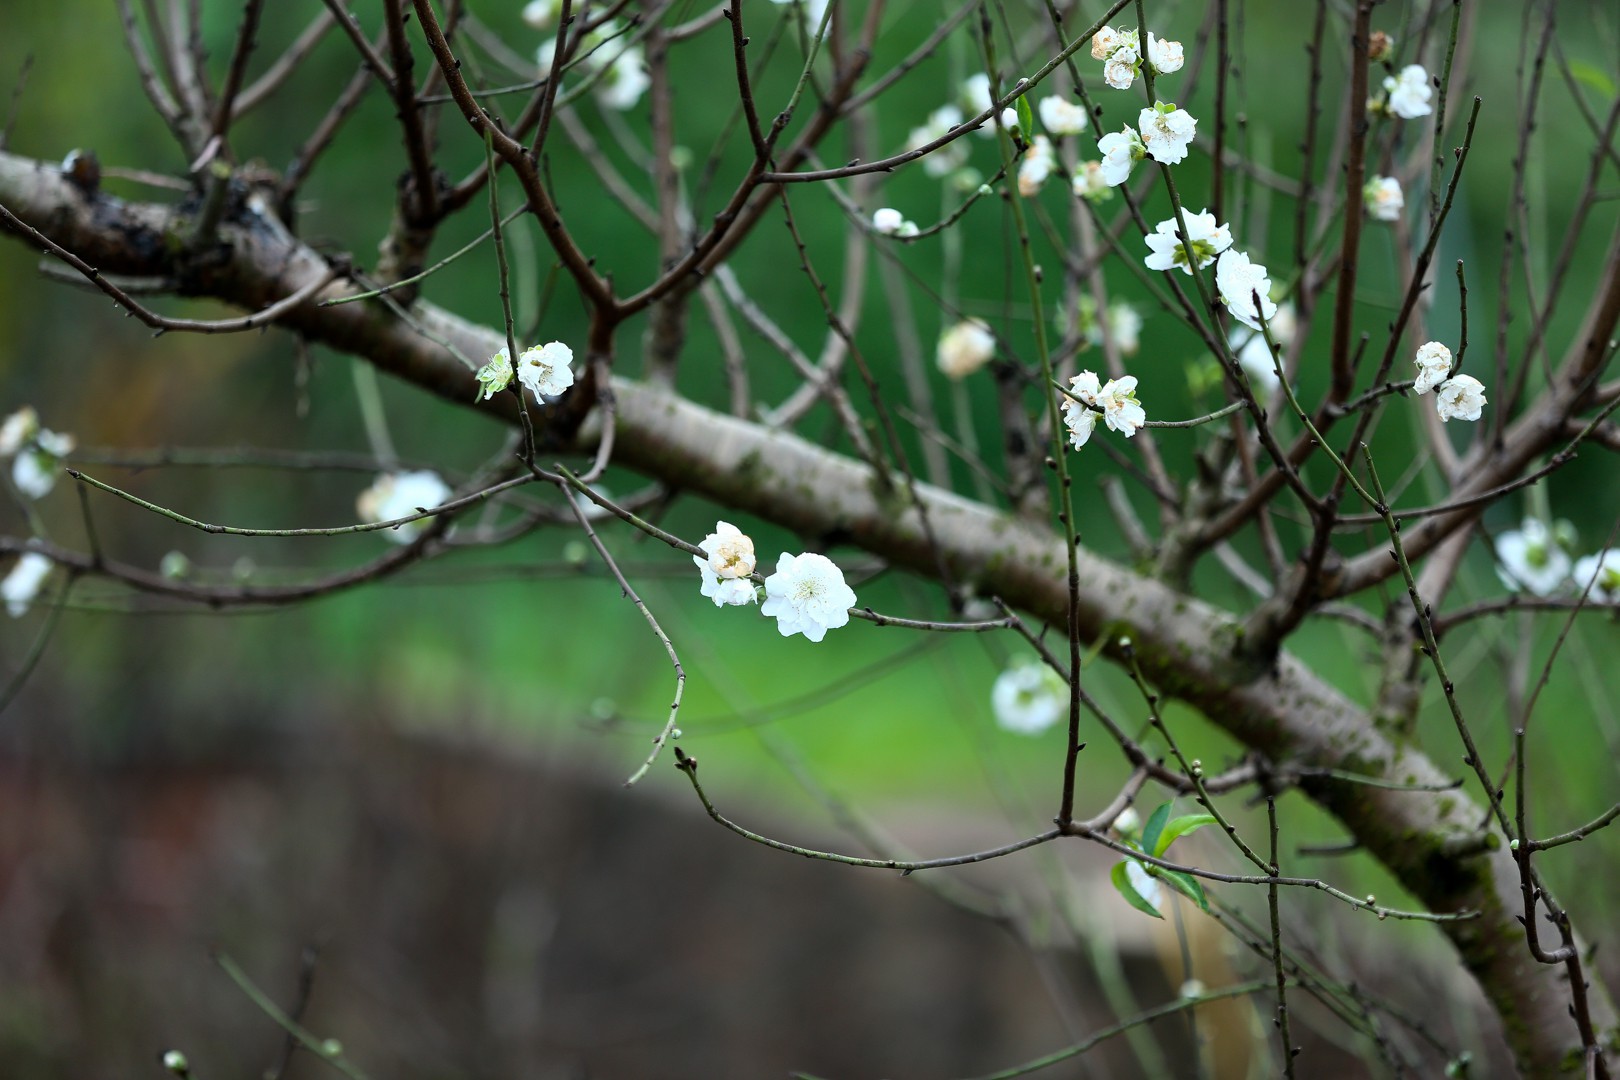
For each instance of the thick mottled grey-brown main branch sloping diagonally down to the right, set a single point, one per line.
(1187, 647)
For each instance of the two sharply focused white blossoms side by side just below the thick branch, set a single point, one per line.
(808, 593)
